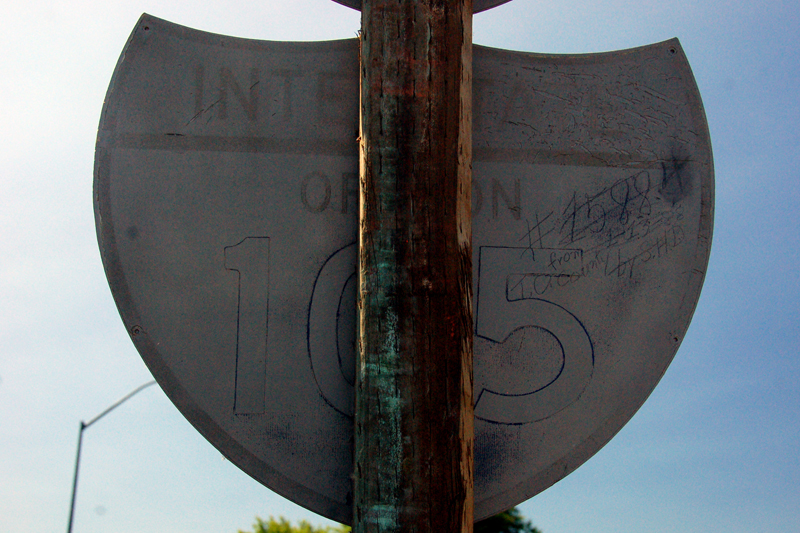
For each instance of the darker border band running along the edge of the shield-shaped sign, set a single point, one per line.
(248, 461)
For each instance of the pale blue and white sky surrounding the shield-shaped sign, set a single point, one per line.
(714, 449)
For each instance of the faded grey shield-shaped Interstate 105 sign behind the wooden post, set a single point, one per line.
(226, 208)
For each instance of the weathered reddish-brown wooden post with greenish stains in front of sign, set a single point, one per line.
(414, 409)
